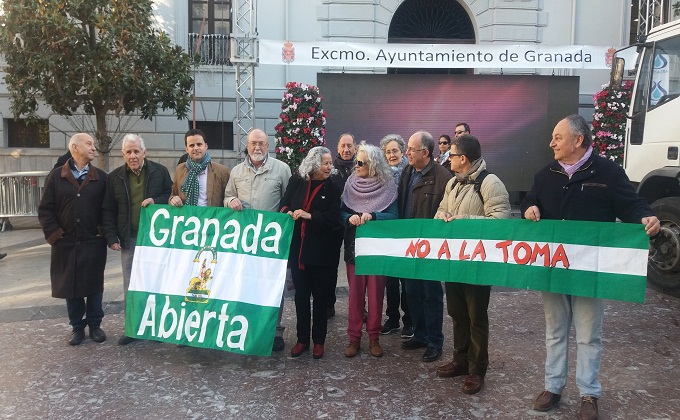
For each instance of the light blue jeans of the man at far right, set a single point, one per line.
(587, 314)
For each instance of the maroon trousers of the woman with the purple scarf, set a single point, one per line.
(358, 286)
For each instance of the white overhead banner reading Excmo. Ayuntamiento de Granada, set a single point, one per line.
(372, 55)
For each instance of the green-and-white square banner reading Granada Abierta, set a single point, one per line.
(208, 277)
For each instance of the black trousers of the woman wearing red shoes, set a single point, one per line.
(315, 282)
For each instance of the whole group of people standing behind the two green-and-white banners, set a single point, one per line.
(83, 210)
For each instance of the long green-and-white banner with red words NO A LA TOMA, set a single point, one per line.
(604, 260)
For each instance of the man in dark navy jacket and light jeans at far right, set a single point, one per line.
(579, 185)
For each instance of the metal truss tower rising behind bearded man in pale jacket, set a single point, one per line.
(244, 53)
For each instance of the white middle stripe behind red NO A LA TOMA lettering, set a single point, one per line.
(625, 261)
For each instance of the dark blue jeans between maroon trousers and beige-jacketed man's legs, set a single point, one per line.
(426, 303)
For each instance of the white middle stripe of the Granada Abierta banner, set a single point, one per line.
(154, 266)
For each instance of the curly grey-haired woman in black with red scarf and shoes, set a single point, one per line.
(312, 199)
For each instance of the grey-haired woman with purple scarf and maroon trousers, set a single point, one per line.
(370, 194)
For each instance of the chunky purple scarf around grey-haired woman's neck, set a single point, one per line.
(368, 195)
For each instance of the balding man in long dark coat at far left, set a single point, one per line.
(71, 218)
